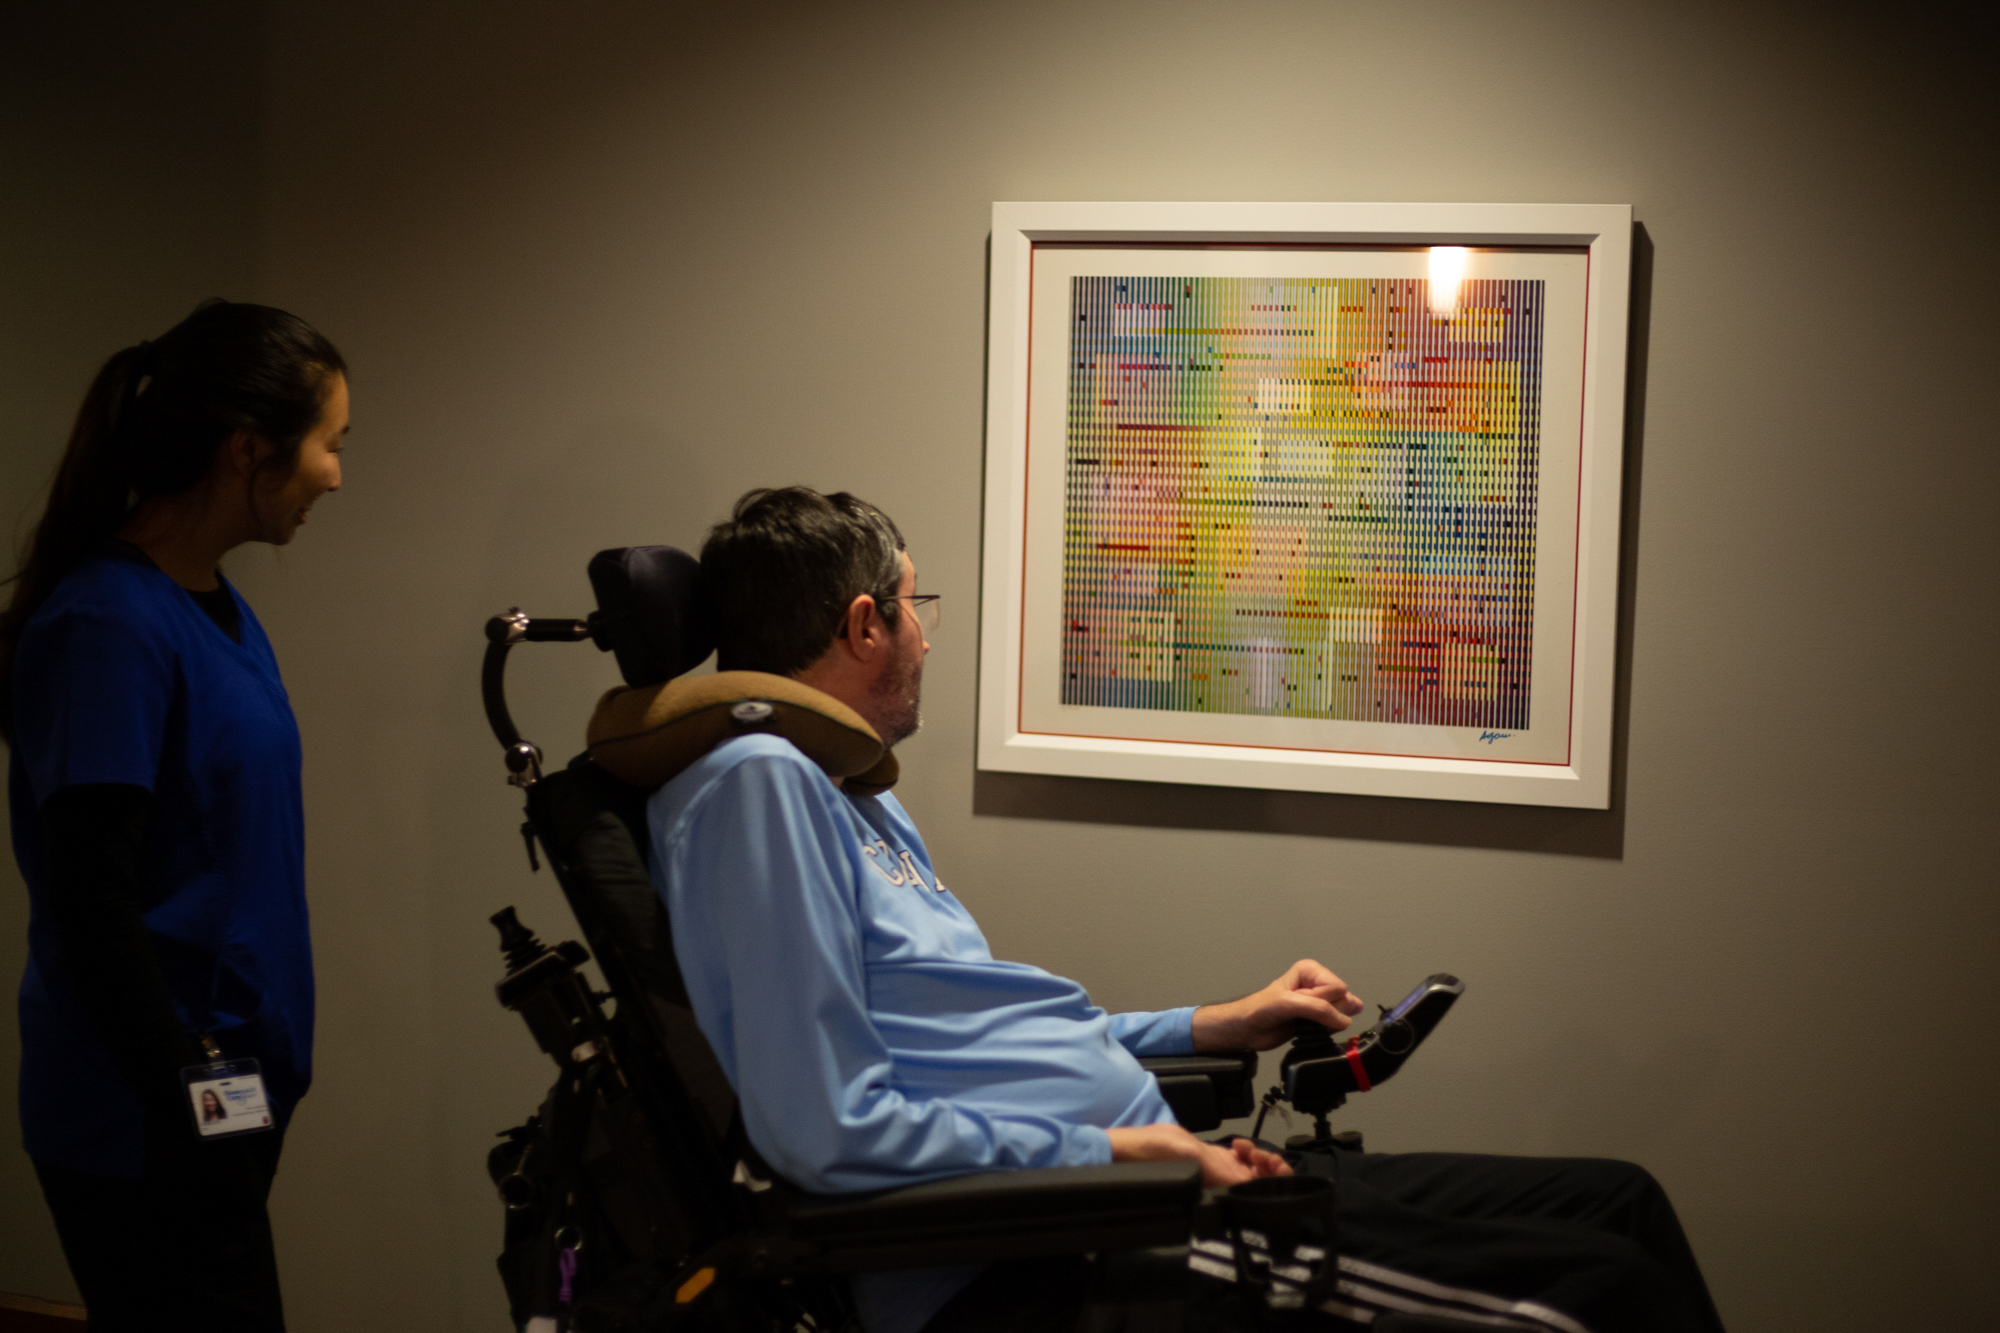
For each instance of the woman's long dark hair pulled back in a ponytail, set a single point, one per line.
(151, 427)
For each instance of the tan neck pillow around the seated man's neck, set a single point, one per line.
(651, 734)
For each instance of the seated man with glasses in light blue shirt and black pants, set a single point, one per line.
(875, 1042)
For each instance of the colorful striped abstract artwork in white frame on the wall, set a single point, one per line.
(1315, 497)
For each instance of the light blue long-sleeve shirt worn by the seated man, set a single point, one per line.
(871, 1036)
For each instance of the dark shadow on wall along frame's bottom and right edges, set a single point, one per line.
(1389, 820)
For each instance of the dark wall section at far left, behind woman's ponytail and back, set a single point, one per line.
(129, 191)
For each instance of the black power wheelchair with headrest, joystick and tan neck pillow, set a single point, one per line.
(635, 1198)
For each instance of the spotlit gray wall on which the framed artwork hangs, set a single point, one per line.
(605, 267)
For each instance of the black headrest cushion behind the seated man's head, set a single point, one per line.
(653, 613)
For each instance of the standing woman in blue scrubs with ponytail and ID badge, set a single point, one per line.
(155, 794)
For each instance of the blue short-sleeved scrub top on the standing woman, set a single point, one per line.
(121, 678)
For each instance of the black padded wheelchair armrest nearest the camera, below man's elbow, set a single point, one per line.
(993, 1216)
